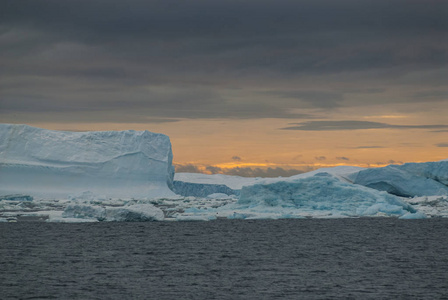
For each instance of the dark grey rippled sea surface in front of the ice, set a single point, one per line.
(380, 258)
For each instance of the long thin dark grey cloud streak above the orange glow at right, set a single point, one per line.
(355, 125)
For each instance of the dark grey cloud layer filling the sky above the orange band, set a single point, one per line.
(214, 59)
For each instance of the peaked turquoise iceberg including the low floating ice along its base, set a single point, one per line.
(321, 195)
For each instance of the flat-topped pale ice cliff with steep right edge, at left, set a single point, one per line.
(114, 163)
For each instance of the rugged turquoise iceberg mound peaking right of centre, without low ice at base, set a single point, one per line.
(323, 193)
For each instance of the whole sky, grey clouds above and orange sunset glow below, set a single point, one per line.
(251, 88)
